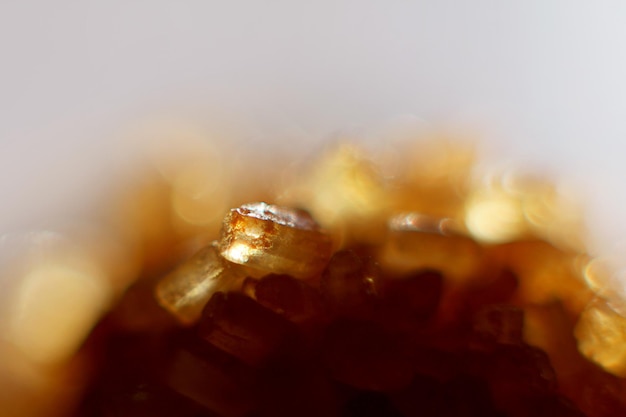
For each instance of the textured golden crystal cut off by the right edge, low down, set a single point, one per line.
(601, 335)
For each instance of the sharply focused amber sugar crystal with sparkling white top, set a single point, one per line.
(275, 239)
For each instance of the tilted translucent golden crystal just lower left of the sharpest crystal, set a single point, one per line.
(185, 291)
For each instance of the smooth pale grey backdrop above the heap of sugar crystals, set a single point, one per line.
(545, 79)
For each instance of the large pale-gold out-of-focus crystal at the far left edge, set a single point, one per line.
(60, 294)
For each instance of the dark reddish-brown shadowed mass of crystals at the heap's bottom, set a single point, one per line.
(354, 342)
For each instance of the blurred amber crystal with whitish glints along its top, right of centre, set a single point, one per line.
(417, 241)
